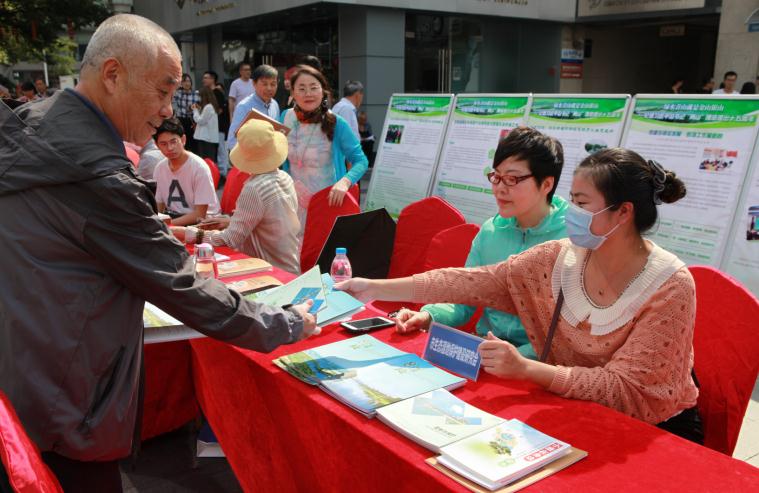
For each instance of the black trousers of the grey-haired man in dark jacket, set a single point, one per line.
(85, 477)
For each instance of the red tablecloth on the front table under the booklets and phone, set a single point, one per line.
(280, 434)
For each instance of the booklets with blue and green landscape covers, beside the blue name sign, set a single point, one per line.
(367, 374)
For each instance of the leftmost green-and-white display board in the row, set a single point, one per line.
(408, 150)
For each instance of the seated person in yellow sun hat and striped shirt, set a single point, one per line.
(265, 223)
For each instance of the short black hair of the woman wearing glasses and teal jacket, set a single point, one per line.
(544, 154)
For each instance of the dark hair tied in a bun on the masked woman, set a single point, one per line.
(622, 175)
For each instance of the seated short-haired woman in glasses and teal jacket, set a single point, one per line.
(527, 167)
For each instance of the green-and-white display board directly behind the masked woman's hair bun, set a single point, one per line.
(708, 141)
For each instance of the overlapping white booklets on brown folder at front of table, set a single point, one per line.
(476, 446)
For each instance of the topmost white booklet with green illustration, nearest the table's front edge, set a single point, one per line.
(501, 455)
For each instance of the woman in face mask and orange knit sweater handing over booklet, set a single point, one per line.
(626, 307)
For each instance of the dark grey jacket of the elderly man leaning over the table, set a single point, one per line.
(82, 248)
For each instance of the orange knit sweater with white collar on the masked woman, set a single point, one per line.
(634, 356)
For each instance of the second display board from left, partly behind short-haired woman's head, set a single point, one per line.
(478, 123)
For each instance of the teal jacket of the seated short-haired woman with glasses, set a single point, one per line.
(498, 239)
